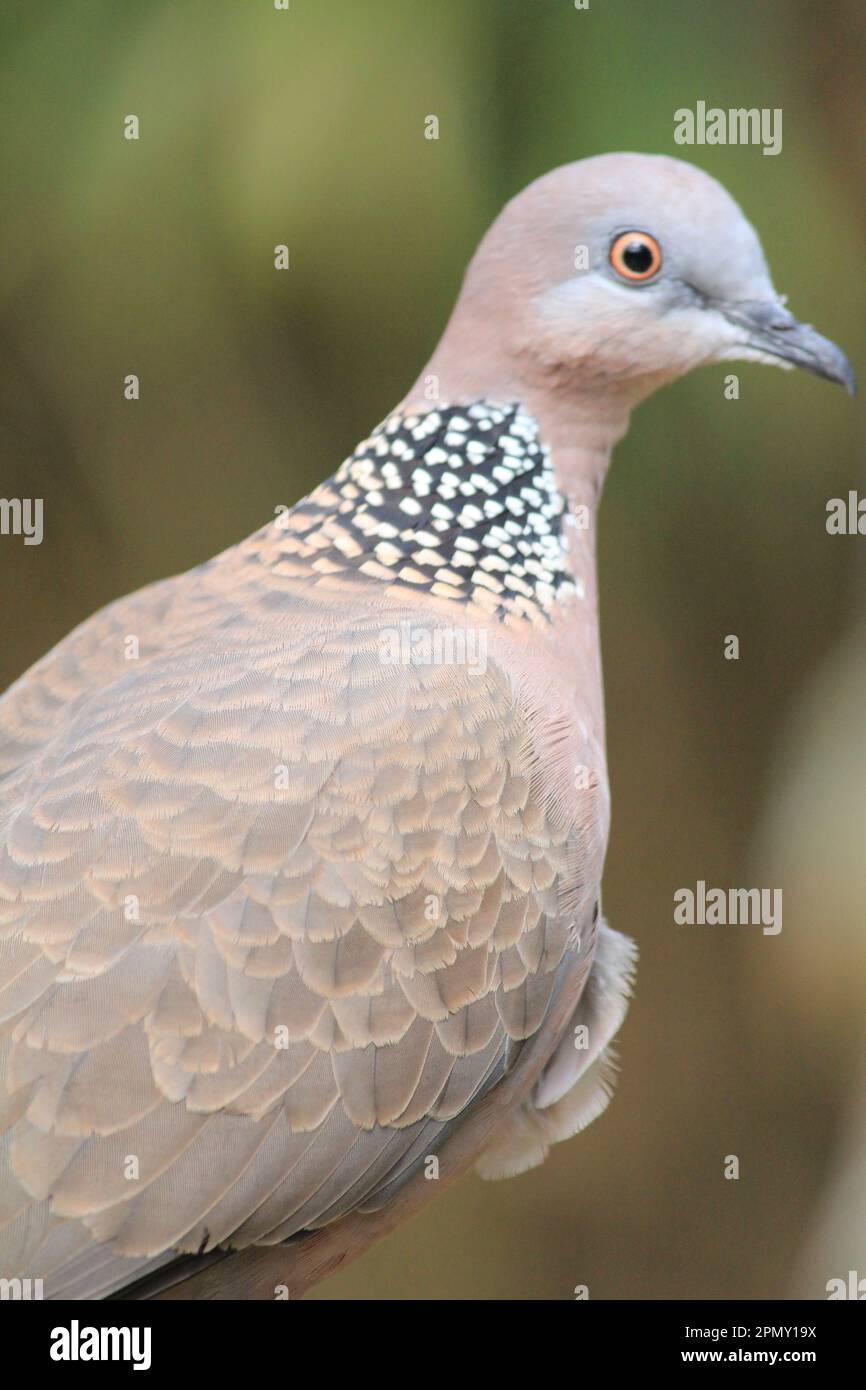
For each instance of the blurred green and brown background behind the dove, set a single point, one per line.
(156, 258)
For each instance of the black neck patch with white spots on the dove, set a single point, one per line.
(458, 501)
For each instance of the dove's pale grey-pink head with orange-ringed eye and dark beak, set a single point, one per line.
(623, 272)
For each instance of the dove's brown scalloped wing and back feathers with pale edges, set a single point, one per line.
(273, 917)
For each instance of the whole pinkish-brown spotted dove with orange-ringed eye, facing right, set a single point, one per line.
(301, 851)
